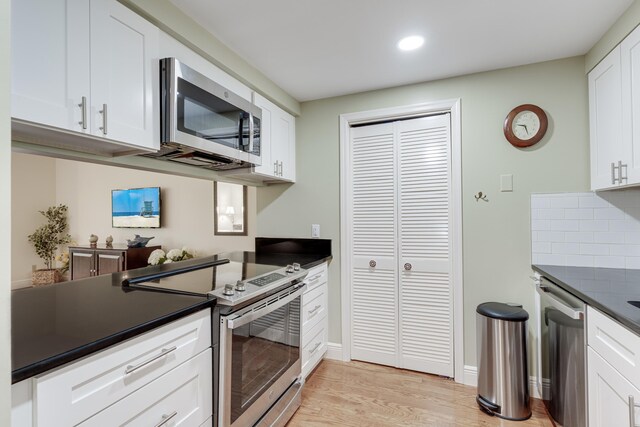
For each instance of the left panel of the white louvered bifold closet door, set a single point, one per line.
(374, 283)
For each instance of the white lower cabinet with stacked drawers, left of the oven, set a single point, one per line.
(166, 370)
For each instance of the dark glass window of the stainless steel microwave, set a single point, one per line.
(207, 116)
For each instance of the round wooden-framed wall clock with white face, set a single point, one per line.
(525, 125)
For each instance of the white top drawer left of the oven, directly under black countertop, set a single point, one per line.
(73, 393)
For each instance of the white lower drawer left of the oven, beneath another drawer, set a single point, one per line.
(185, 394)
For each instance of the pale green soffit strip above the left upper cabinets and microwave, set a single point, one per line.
(172, 20)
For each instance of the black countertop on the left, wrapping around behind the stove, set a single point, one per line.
(56, 324)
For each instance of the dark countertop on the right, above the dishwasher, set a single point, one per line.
(607, 289)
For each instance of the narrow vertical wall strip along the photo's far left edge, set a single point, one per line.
(5, 215)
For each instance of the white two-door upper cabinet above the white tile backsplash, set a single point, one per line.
(614, 117)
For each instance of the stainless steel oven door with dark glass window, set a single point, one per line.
(259, 356)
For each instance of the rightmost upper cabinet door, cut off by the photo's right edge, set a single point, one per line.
(630, 65)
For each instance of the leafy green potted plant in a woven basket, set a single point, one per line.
(46, 240)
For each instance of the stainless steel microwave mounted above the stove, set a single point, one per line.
(204, 124)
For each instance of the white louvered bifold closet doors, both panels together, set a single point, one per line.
(401, 293)
